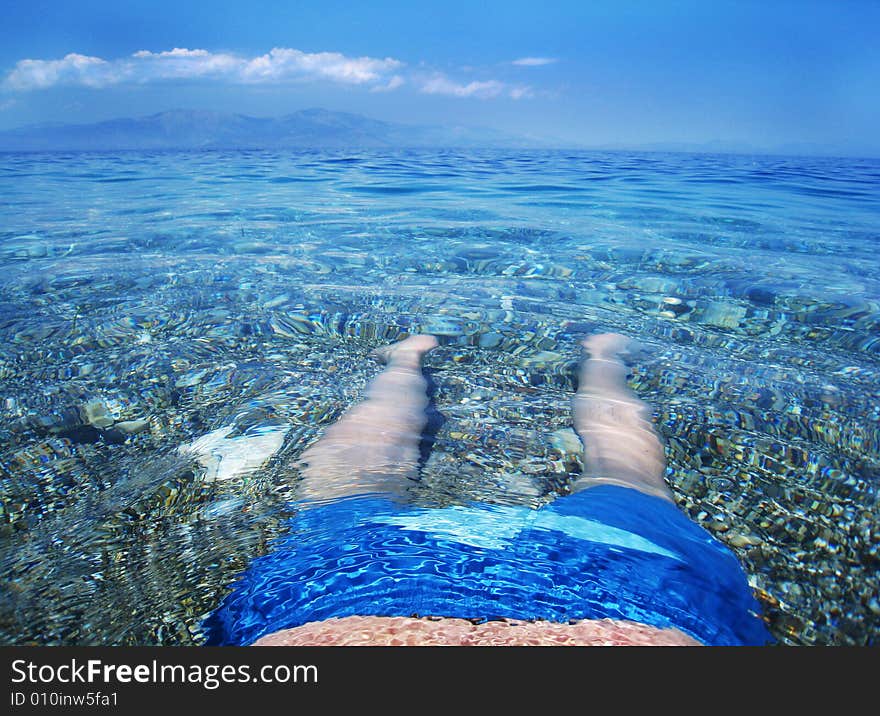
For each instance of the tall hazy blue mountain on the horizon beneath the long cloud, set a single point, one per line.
(189, 129)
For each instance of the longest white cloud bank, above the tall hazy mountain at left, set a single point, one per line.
(279, 65)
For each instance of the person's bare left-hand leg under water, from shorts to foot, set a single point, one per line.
(374, 446)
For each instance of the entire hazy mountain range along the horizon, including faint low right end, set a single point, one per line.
(324, 129)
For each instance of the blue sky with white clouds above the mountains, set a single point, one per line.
(768, 74)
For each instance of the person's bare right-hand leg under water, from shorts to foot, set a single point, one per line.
(620, 445)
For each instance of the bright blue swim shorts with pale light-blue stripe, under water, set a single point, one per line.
(604, 552)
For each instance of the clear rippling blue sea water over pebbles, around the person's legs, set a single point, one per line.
(197, 291)
